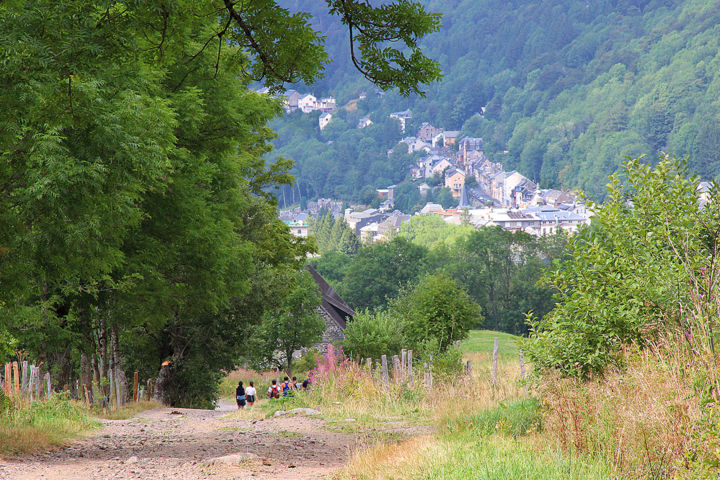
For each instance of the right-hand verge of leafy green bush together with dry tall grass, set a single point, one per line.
(628, 362)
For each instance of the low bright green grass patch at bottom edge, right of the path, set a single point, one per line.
(498, 458)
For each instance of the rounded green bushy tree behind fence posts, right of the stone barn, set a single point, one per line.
(436, 313)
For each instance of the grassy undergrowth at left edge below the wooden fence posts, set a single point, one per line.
(29, 427)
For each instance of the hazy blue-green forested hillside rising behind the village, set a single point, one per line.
(568, 87)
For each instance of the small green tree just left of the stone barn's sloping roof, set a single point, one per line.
(295, 324)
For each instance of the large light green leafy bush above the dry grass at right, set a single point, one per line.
(629, 273)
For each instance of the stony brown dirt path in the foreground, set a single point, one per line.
(184, 444)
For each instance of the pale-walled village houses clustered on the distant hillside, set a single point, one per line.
(487, 195)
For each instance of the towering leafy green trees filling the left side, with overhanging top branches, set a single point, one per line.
(135, 214)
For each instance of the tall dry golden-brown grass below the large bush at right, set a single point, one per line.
(645, 419)
